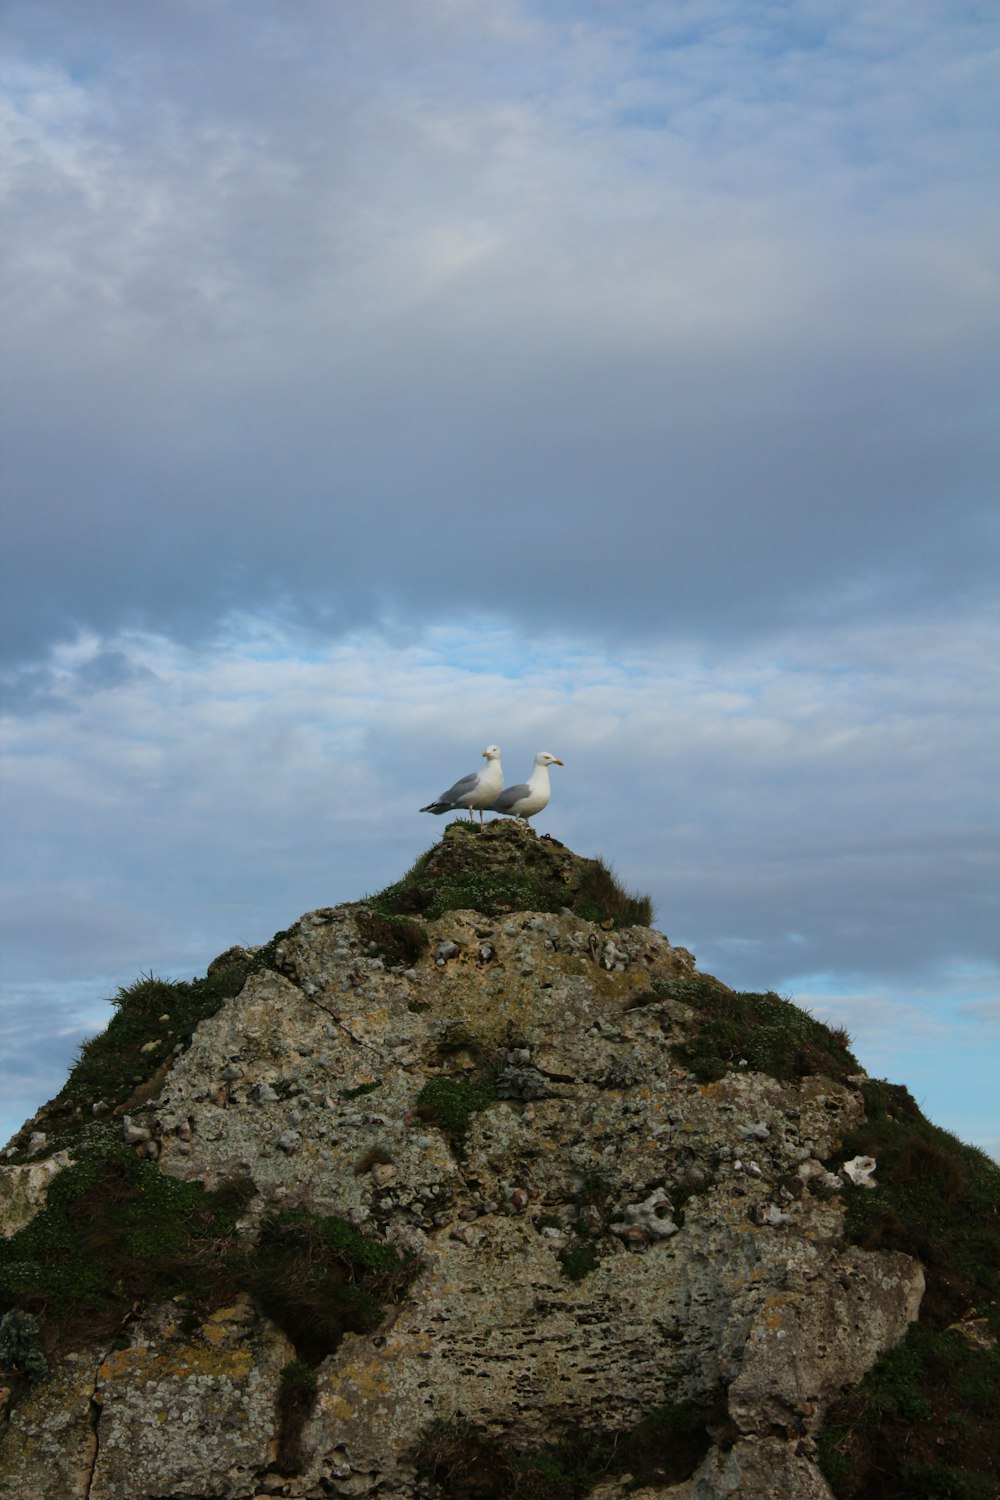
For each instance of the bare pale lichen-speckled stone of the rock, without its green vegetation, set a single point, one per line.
(599, 1234)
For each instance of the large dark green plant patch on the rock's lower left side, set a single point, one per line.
(119, 1234)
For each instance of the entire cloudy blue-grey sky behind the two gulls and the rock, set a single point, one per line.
(615, 377)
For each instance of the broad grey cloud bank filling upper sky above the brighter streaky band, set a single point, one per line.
(681, 322)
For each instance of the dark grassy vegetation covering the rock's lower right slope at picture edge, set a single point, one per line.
(926, 1423)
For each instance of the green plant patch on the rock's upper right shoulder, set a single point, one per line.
(761, 1033)
